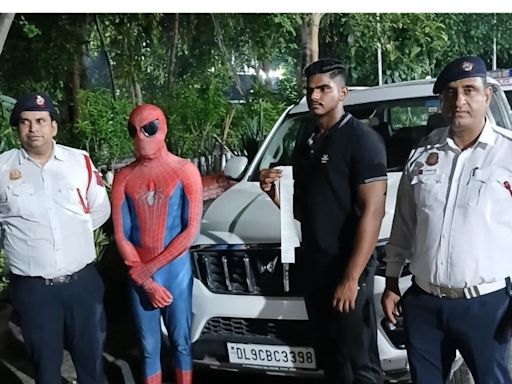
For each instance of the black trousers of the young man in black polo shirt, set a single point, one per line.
(346, 342)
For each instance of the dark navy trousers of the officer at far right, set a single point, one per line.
(436, 327)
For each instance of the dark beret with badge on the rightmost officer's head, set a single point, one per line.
(460, 68)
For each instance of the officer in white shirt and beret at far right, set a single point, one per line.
(453, 223)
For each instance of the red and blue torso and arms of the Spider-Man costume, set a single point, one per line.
(154, 235)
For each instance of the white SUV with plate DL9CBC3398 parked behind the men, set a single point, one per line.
(248, 313)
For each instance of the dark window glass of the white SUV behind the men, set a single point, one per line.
(401, 124)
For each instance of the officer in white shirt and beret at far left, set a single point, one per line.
(51, 199)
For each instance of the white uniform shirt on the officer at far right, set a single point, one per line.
(453, 218)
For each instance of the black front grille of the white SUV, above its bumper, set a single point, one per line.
(245, 269)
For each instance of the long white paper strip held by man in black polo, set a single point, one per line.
(289, 235)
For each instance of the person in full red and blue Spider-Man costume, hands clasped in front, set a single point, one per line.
(156, 211)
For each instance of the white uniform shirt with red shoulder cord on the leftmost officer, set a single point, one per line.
(46, 230)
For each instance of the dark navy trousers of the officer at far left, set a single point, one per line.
(54, 317)
